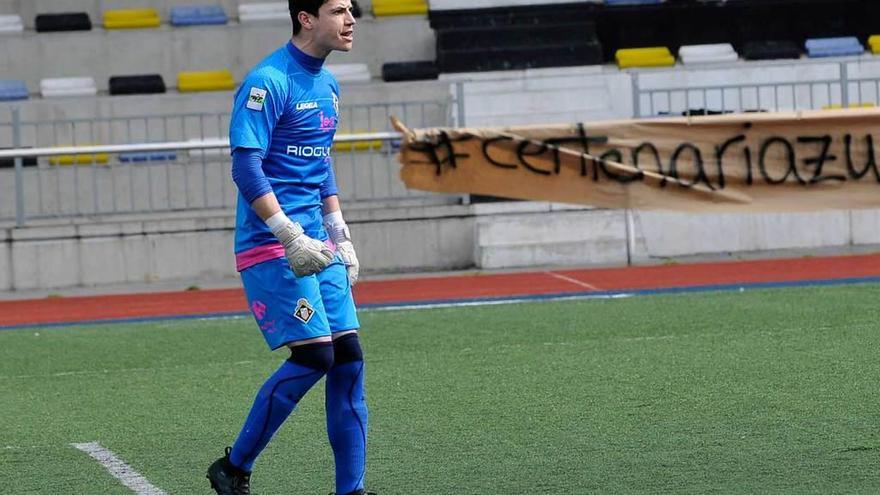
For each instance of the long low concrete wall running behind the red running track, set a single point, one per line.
(419, 238)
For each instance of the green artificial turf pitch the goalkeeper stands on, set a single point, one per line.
(764, 391)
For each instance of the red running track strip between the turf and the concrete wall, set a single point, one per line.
(454, 287)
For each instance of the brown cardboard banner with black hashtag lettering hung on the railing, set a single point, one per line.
(760, 162)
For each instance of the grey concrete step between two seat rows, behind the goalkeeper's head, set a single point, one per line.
(167, 50)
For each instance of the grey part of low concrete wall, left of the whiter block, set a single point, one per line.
(193, 248)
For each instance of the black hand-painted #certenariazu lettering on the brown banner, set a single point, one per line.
(741, 159)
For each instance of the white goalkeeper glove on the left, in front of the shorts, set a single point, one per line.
(306, 256)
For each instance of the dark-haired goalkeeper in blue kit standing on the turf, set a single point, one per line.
(293, 248)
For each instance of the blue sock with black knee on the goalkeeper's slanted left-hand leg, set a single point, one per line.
(277, 398)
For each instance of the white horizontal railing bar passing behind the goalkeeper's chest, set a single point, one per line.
(168, 146)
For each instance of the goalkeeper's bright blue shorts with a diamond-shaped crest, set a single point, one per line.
(288, 308)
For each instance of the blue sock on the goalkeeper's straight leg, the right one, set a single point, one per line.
(347, 424)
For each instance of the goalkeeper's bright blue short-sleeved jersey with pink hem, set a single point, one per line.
(287, 108)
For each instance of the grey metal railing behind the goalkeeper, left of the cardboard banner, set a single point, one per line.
(40, 180)
